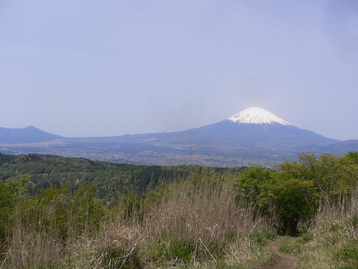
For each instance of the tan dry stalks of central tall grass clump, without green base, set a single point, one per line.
(203, 211)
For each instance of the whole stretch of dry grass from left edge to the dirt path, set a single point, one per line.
(194, 223)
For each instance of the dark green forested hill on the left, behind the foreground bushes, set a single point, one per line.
(110, 179)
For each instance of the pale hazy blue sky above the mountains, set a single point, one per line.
(111, 67)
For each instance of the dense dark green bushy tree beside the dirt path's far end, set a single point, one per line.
(280, 196)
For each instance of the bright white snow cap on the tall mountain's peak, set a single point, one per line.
(256, 115)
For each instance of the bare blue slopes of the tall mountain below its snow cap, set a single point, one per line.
(226, 133)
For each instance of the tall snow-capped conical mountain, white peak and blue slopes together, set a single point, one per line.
(252, 127)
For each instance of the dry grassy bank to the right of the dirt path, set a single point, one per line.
(332, 240)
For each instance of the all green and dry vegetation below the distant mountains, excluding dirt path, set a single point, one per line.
(58, 212)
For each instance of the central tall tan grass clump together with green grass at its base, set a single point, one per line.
(201, 220)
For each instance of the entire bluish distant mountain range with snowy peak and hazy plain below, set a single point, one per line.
(251, 136)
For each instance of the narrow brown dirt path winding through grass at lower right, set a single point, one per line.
(281, 260)
